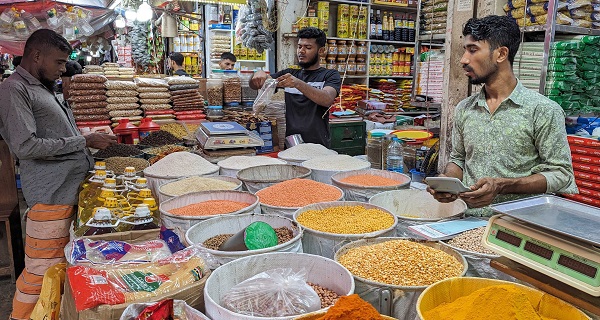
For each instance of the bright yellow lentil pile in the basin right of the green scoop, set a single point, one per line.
(346, 220)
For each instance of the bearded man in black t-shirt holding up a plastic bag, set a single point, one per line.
(308, 91)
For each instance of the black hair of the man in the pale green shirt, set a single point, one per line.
(498, 31)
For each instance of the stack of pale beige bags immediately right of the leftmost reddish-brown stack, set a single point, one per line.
(122, 101)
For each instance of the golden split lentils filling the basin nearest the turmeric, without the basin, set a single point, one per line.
(401, 263)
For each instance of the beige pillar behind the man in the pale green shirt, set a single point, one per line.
(456, 83)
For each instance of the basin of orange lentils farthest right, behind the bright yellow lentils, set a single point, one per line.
(360, 185)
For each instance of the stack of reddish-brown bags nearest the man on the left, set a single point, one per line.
(88, 100)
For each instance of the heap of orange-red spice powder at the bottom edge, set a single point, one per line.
(351, 307)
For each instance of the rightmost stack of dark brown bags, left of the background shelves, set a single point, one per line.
(187, 101)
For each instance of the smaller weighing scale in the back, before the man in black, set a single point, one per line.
(226, 135)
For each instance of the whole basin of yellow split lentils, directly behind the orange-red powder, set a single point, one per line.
(391, 273)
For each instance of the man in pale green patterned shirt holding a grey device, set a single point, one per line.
(508, 142)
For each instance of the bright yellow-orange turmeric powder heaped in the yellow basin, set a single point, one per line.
(507, 302)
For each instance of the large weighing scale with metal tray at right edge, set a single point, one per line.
(557, 237)
